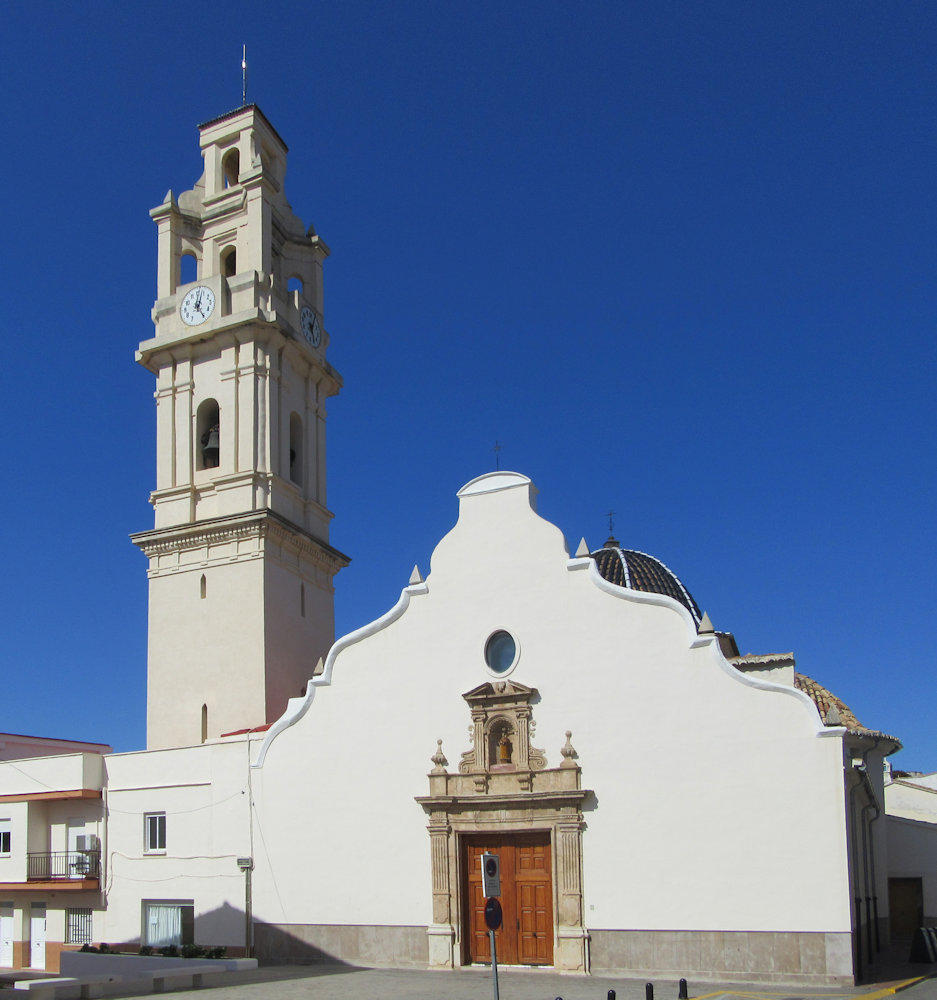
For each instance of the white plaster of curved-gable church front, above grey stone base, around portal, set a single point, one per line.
(699, 774)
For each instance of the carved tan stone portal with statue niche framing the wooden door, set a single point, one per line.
(503, 786)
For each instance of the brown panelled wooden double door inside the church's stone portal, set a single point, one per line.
(526, 935)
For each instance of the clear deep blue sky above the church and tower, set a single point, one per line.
(678, 258)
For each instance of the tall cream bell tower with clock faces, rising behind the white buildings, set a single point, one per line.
(240, 568)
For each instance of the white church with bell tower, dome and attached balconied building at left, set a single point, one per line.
(660, 805)
